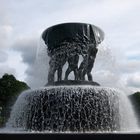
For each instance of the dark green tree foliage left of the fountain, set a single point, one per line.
(10, 88)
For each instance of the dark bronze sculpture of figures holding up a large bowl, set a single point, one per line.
(66, 42)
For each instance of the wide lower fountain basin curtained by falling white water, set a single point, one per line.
(70, 109)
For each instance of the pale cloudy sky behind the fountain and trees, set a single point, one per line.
(22, 51)
